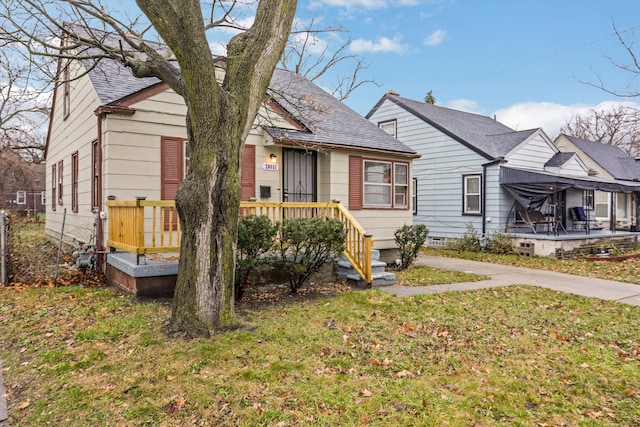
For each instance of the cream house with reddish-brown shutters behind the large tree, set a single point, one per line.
(113, 135)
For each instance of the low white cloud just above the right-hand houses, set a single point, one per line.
(547, 115)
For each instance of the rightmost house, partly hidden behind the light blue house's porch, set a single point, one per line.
(610, 162)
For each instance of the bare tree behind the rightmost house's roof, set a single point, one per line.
(618, 126)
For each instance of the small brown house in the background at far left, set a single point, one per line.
(23, 185)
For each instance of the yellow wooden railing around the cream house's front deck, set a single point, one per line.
(152, 226)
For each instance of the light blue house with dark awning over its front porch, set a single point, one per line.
(475, 171)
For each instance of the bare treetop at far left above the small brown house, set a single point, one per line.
(24, 104)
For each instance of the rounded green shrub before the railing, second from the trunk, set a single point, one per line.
(306, 245)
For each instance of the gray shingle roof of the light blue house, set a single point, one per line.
(483, 134)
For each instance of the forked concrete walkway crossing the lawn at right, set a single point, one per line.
(504, 275)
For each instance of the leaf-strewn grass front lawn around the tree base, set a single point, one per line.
(509, 356)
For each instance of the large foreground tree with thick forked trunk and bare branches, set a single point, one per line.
(219, 114)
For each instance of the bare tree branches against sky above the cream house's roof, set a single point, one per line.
(312, 57)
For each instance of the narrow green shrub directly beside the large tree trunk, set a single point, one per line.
(255, 238)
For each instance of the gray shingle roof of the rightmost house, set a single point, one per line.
(610, 158)
